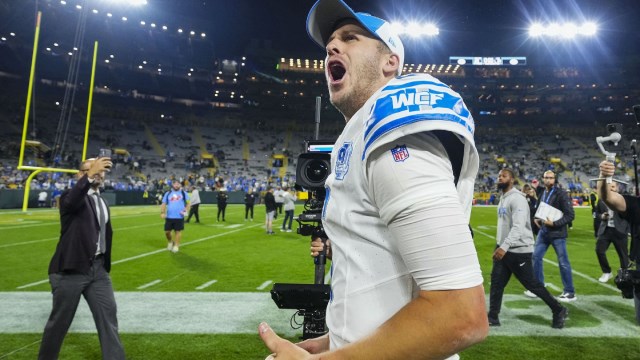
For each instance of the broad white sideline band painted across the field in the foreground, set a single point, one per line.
(240, 313)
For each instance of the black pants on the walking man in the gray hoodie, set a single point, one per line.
(521, 266)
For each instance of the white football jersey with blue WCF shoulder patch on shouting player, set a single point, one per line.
(372, 277)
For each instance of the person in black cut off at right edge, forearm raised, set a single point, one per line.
(629, 209)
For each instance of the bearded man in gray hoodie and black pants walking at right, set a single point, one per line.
(514, 250)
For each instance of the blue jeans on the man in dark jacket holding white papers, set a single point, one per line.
(560, 246)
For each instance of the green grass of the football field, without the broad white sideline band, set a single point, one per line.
(241, 257)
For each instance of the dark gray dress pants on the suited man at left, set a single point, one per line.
(95, 286)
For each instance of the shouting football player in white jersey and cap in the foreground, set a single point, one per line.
(406, 281)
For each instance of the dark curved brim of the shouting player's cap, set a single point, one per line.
(323, 17)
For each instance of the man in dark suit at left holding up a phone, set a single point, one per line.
(81, 264)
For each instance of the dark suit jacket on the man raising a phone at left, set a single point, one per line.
(79, 231)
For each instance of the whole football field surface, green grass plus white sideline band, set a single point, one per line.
(206, 301)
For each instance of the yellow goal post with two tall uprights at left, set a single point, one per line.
(37, 169)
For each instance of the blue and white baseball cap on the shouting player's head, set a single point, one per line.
(325, 15)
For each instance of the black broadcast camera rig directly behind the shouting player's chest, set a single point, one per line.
(314, 166)
